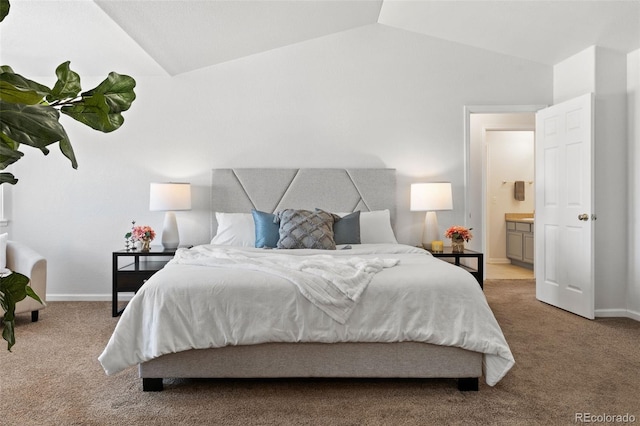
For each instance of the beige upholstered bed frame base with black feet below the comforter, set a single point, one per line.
(327, 360)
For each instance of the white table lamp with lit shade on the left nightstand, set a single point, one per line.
(170, 197)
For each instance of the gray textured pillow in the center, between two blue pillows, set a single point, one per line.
(306, 229)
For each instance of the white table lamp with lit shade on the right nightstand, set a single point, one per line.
(431, 197)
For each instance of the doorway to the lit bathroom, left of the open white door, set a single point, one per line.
(501, 144)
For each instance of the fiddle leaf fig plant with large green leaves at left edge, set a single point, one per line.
(30, 116)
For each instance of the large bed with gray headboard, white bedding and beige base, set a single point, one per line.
(232, 310)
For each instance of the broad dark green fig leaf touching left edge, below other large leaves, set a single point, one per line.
(33, 125)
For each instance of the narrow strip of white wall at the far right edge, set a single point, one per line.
(633, 104)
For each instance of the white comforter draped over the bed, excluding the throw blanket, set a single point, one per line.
(198, 306)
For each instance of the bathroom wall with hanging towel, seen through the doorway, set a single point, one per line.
(510, 157)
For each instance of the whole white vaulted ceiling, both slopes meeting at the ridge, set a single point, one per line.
(186, 35)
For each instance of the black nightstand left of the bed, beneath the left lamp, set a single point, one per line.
(136, 268)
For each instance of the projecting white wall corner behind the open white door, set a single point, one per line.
(603, 72)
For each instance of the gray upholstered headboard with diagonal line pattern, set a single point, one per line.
(270, 190)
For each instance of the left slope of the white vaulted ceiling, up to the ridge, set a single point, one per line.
(183, 36)
